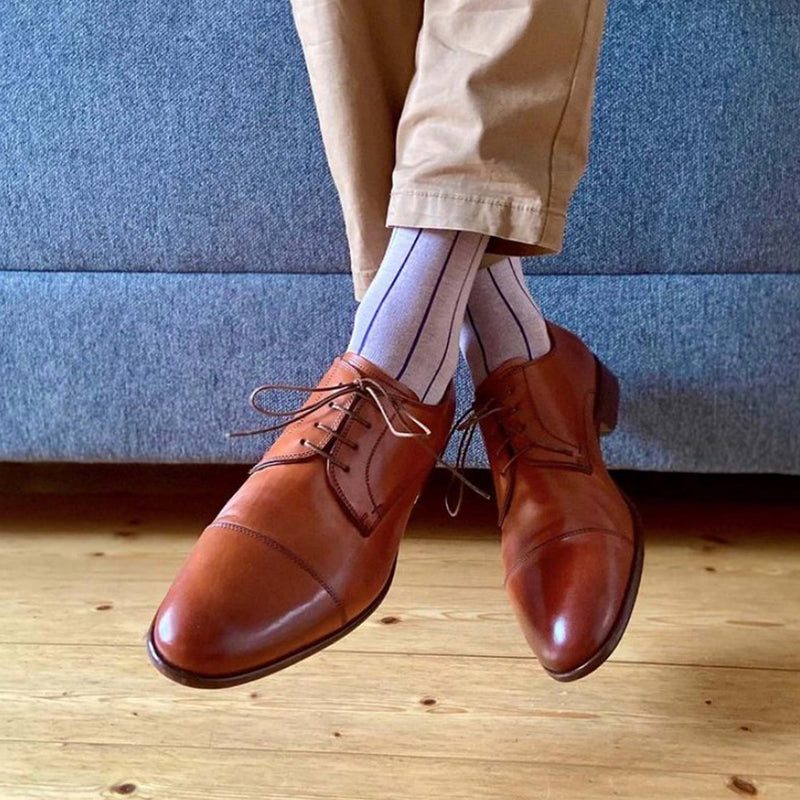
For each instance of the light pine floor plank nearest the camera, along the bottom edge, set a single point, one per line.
(75, 772)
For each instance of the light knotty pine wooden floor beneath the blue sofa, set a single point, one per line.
(436, 696)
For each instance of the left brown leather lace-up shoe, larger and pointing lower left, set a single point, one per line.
(305, 550)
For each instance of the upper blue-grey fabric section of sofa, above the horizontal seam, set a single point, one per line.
(148, 136)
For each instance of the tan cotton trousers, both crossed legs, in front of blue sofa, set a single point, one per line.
(461, 114)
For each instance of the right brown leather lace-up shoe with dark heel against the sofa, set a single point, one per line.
(572, 542)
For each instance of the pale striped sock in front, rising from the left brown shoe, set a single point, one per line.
(409, 318)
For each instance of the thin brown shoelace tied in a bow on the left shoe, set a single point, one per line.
(363, 387)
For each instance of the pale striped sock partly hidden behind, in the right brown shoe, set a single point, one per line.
(503, 320)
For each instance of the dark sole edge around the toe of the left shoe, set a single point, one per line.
(200, 681)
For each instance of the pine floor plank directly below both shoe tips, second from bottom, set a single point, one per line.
(631, 716)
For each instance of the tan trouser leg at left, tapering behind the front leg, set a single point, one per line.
(360, 60)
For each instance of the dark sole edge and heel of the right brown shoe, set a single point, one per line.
(606, 419)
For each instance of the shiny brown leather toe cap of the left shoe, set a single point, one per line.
(238, 605)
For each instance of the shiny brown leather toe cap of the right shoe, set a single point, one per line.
(569, 595)
